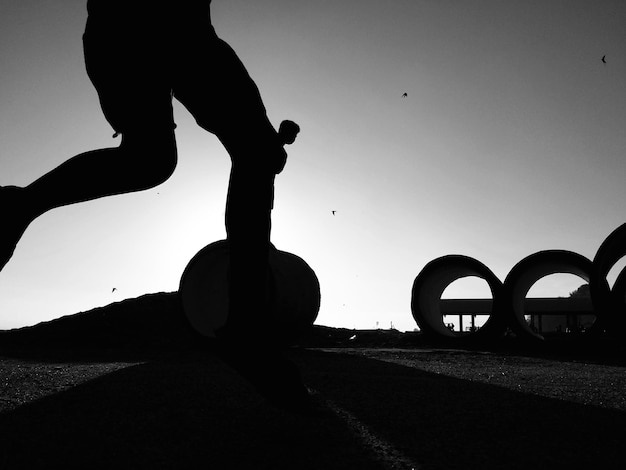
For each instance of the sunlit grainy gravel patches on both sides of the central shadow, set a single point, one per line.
(590, 384)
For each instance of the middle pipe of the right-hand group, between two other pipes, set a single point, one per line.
(527, 272)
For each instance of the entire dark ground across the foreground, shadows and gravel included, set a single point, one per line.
(378, 408)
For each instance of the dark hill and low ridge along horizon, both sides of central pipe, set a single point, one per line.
(154, 325)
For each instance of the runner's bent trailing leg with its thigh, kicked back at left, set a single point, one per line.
(128, 59)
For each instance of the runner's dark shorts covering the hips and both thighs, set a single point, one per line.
(138, 59)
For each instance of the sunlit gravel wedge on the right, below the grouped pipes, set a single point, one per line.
(589, 384)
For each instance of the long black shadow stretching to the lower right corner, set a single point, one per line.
(447, 423)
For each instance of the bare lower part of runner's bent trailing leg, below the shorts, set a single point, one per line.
(142, 161)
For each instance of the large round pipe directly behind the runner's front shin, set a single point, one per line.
(293, 292)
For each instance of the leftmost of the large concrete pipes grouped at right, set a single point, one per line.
(433, 280)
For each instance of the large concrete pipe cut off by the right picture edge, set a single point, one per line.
(611, 303)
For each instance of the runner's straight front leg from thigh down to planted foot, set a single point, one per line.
(215, 87)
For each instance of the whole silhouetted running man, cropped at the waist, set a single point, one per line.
(139, 54)
